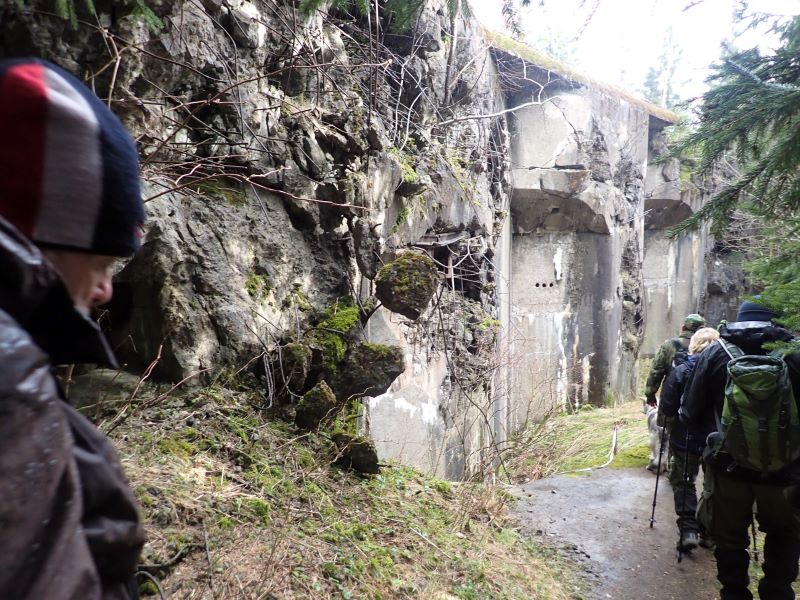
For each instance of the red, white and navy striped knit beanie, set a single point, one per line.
(69, 171)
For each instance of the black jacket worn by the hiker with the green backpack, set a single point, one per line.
(705, 391)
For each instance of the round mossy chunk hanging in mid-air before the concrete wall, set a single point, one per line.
(407, 284)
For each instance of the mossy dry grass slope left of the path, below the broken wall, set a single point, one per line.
(237, 506)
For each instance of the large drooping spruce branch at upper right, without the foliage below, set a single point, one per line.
(752, 113)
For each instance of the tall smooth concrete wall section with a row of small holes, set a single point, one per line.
(578, 164)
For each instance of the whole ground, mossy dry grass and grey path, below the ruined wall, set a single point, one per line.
(239, 505)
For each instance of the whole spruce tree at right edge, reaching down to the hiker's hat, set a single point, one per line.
(752, 114)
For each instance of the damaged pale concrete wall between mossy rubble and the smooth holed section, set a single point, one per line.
(436, 416)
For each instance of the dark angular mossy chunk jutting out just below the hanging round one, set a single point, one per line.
(368, 370)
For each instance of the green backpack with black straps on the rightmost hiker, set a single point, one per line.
(759, 427)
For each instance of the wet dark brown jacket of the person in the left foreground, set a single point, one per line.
(69, 527)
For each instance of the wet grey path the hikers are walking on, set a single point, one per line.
(603, 517)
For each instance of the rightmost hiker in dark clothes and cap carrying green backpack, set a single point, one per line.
(747, 395)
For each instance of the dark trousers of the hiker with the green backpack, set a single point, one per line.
(726, 511)
